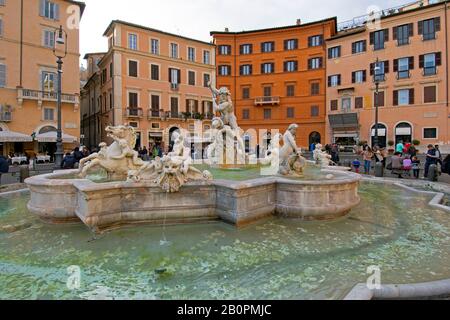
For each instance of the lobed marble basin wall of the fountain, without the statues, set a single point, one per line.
(58, 198)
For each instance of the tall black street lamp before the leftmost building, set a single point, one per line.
(61, 40)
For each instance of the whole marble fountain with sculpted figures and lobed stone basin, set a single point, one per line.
(173, 190)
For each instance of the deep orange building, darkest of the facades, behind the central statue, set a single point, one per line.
(277, 77)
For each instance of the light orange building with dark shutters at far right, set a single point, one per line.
(411, 45)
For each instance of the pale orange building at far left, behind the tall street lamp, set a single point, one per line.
(28, 75)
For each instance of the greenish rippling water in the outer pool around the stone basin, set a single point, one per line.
(274, 259)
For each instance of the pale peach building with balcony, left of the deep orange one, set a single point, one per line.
(156, 82)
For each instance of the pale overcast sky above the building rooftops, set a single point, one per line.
(196, 18)
